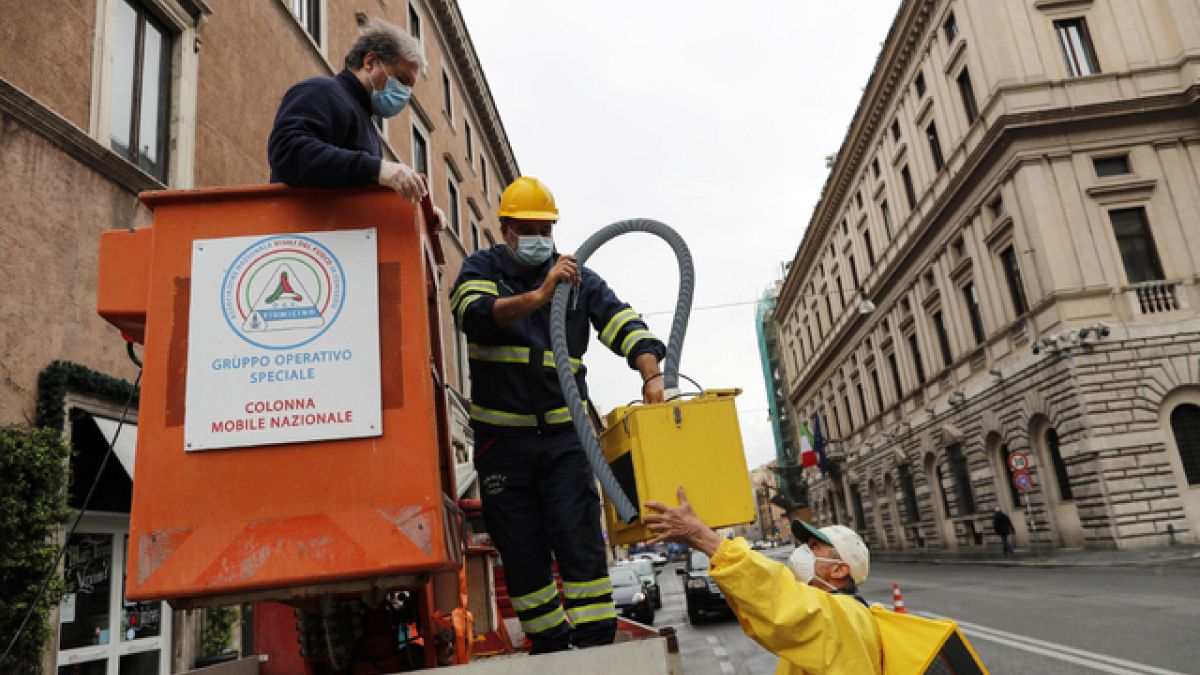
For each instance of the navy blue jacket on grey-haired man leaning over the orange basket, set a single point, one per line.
(323, 136)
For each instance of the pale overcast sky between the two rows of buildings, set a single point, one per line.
(712, 117)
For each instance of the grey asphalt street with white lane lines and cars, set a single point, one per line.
(1061, 622)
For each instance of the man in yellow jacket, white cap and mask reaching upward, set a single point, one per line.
(808, 612)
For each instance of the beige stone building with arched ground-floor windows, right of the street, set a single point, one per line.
(1017, 199)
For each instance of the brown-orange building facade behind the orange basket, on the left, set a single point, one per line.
(104, 99)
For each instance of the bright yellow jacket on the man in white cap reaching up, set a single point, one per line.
(813, 632)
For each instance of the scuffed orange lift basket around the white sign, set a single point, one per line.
(271, 522)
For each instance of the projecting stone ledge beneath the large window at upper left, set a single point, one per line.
(74, 141)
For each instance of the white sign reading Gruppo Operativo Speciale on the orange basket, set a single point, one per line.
(284, 341)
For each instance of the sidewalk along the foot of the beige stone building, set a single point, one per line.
(1184, 555)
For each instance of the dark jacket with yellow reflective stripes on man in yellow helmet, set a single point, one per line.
(513, 379)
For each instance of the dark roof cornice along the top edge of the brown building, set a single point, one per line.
(463, 52)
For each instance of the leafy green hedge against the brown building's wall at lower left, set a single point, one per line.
(33, 507)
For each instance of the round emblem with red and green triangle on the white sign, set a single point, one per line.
(283, 292)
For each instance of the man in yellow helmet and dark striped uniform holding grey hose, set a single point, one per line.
(541, 500)
